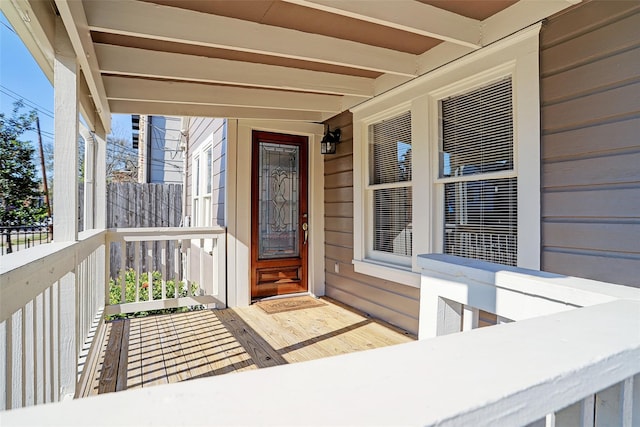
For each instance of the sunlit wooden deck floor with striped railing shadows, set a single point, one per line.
(178, 347)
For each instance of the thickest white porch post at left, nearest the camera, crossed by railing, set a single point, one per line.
(65, 199)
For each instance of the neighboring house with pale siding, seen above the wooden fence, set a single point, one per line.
(158, 140)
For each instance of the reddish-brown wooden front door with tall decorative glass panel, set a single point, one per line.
(279, 220)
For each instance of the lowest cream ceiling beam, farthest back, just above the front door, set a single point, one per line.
(193, 110)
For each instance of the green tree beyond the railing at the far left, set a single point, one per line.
(19, 187)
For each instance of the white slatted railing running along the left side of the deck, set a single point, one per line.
(50, 296)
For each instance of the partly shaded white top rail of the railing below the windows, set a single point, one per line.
(570, 290)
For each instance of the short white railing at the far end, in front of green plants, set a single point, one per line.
(167, 268)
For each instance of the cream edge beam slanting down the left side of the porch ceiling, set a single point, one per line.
(75, 22)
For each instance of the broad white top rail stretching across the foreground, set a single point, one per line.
(513, 374)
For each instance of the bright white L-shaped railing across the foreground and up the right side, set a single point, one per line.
(571, 358)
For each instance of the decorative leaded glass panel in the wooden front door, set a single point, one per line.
(278, 201)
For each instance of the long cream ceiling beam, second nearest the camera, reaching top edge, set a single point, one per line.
(152, 21)
